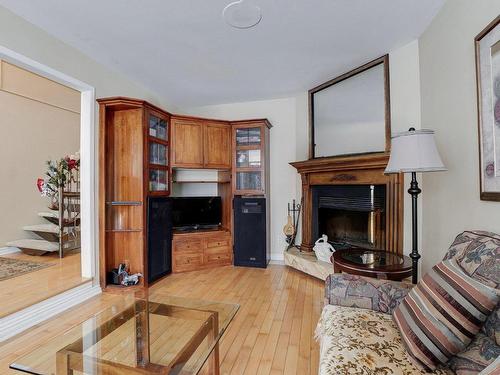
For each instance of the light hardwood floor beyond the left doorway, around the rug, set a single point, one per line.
(25, 290)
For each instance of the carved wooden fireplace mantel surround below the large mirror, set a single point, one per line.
(363, 169)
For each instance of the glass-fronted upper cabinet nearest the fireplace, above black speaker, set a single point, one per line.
(250, 157)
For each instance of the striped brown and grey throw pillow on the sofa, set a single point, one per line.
(442, 313)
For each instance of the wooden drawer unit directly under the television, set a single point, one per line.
(201, 249)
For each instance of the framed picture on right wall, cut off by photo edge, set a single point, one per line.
(488, 99)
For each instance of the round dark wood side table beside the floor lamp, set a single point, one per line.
(372, 263)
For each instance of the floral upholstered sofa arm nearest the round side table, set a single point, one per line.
(365, 292)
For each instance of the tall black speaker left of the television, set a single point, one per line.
(159, 237)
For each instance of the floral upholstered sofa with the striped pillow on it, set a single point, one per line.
(357, 333)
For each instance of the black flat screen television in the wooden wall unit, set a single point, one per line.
(196, 212)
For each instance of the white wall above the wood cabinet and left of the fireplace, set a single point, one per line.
(281, 113)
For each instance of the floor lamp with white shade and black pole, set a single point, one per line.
(413, 152)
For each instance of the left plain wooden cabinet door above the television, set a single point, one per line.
(187, 143)
